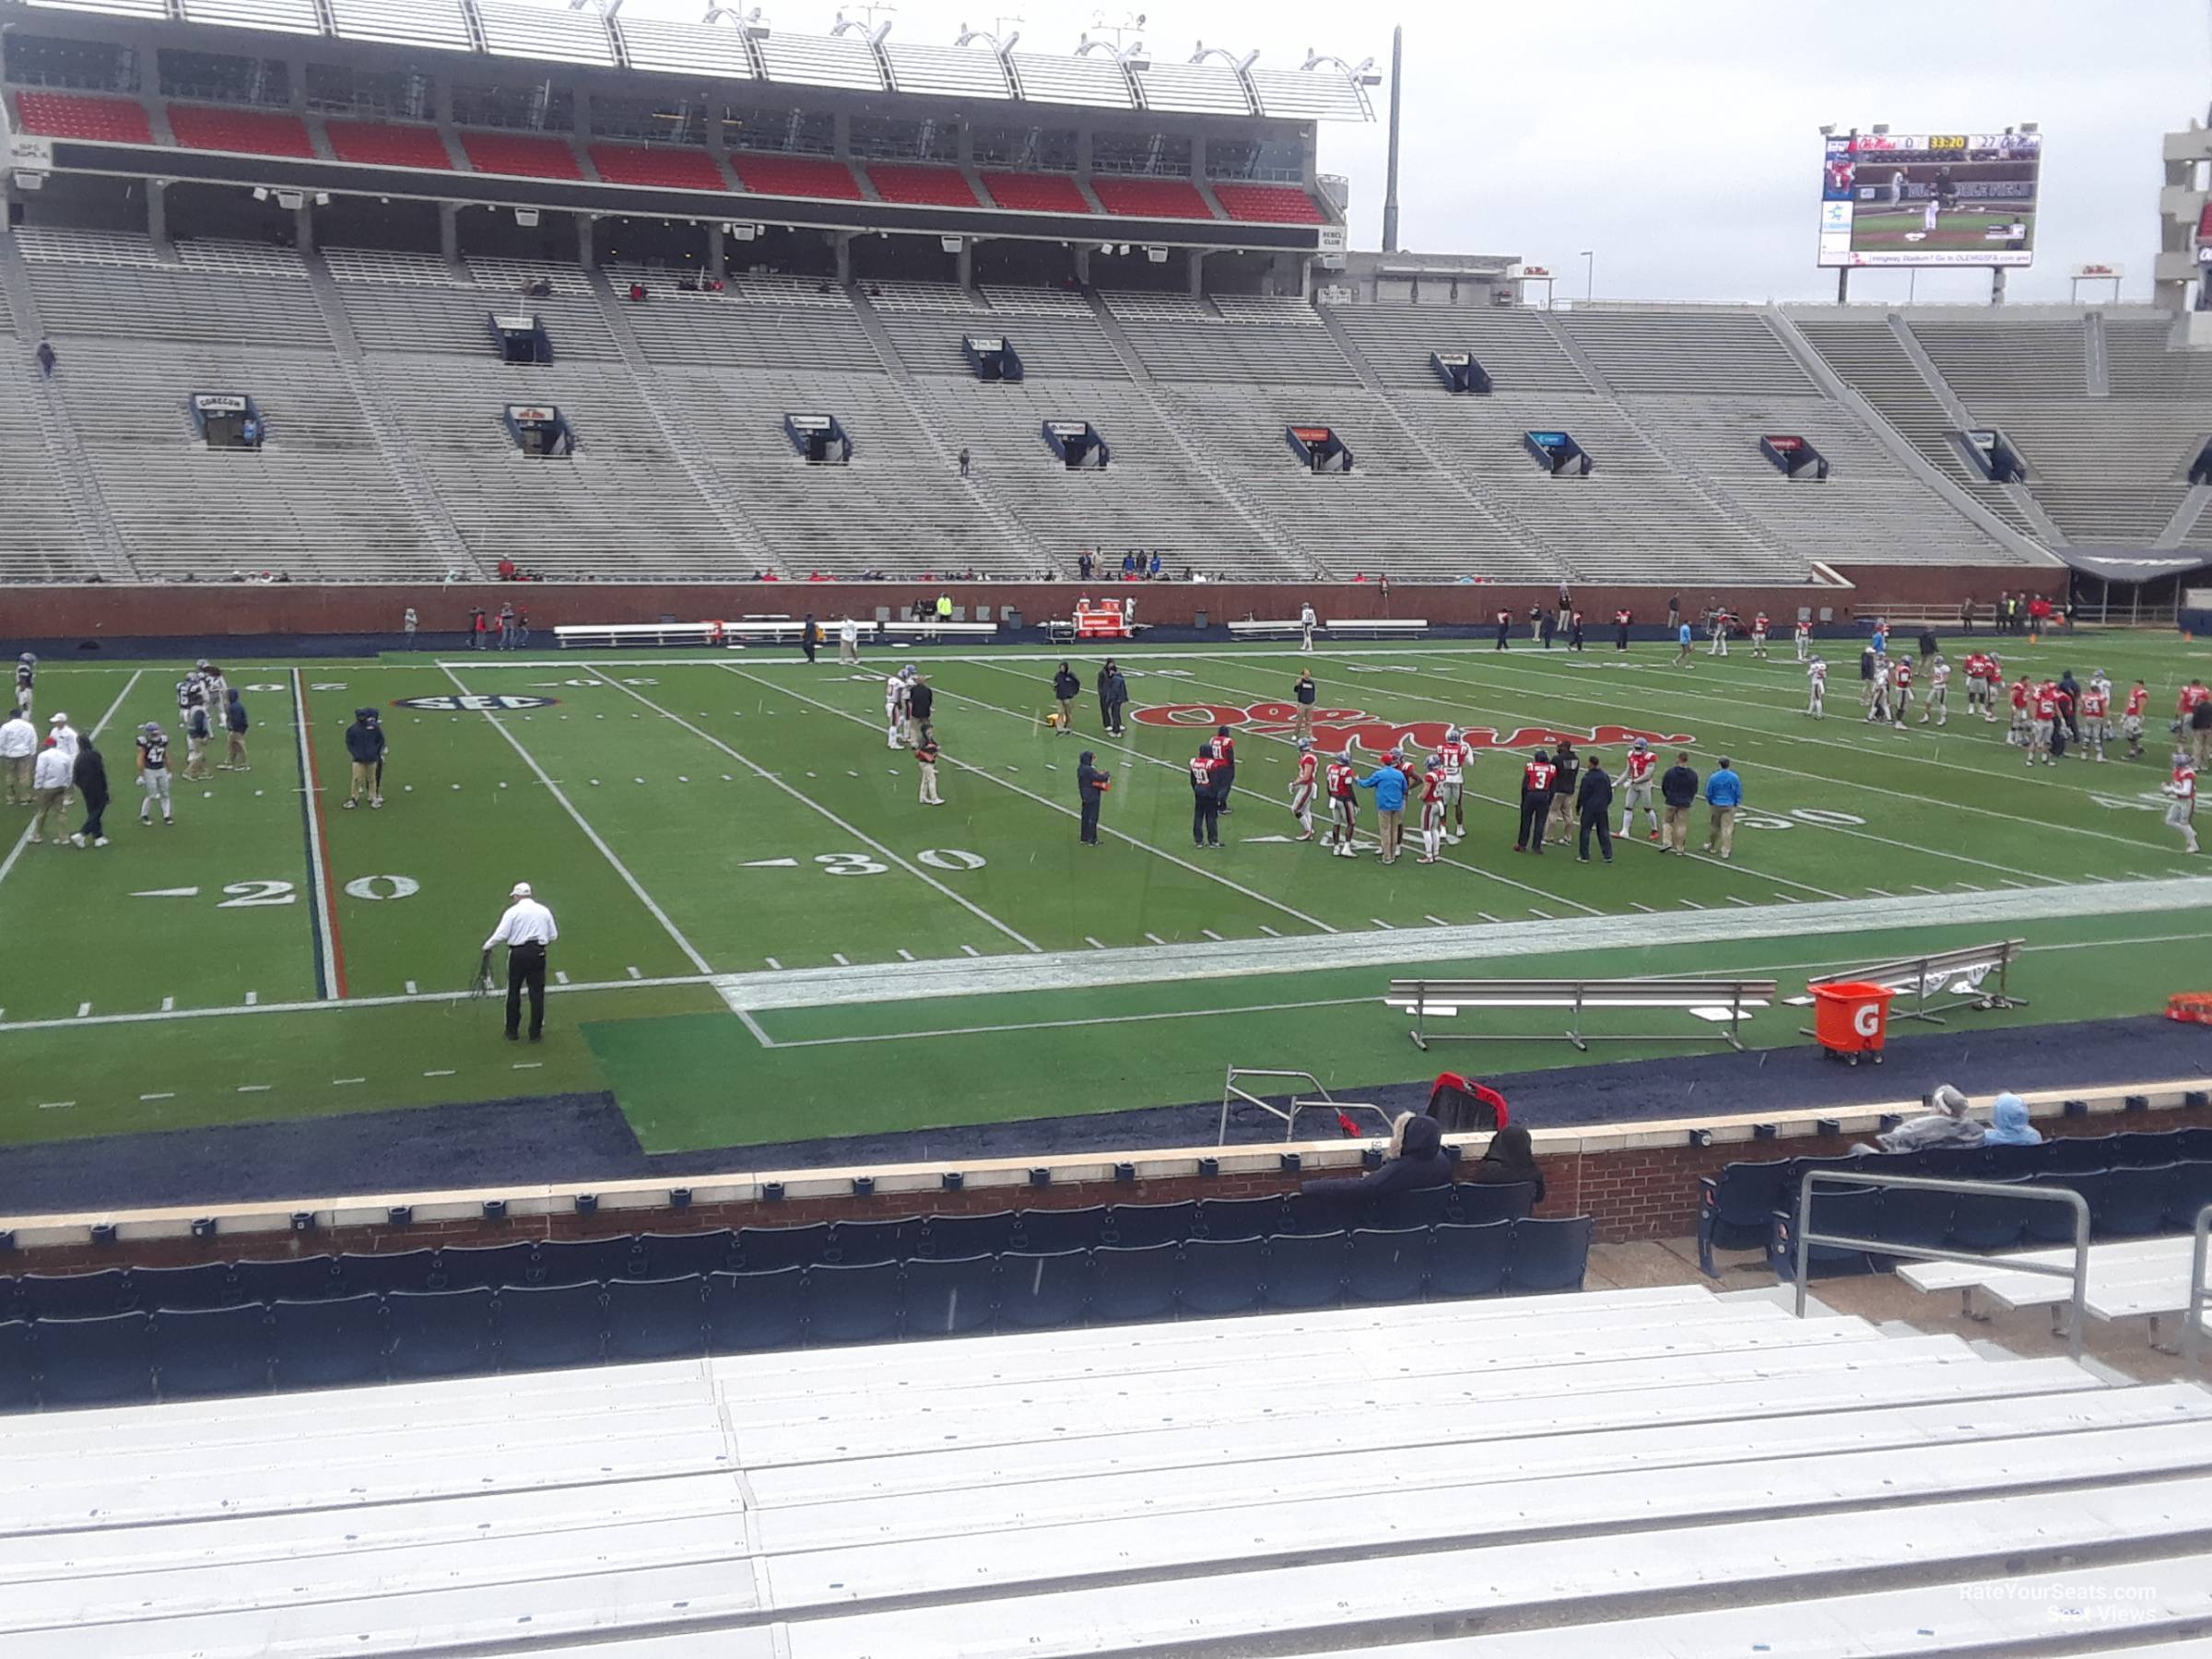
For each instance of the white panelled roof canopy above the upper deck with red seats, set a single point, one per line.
(733, 50)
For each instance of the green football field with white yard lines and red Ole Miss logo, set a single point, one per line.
(766, 937)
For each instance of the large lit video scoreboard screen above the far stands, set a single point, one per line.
(1930, 198)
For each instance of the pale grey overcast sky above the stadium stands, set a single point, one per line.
(1678, 138)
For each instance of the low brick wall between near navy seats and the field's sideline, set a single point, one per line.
(1636, 1193)
